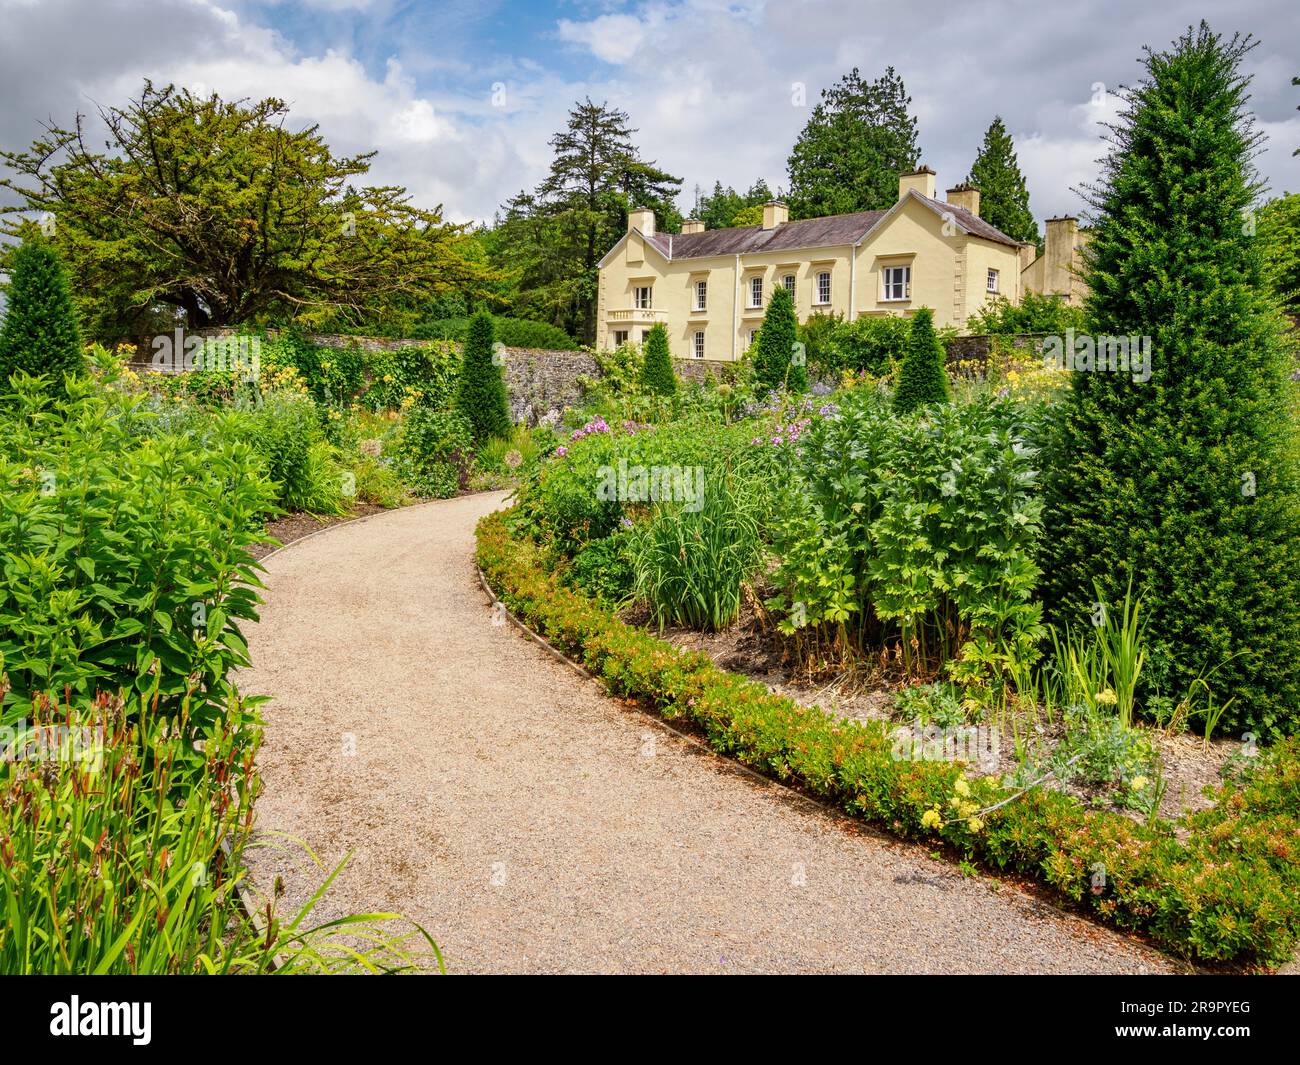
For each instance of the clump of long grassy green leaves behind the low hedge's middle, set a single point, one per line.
(690, 561)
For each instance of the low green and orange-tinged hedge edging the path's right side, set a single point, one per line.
(1230, 893)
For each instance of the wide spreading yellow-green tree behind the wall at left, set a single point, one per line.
(218, 213)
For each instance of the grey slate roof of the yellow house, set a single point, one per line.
(831, 231)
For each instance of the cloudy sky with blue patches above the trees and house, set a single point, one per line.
(462, 99)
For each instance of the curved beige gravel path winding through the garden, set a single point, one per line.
(534, 825)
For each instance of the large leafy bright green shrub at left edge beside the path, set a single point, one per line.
(125, 555)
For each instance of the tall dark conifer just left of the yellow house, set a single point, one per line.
(556, 236)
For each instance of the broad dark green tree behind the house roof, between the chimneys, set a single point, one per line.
(856, 144)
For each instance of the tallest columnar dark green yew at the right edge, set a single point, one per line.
(1185, 483)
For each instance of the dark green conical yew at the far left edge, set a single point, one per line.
(40, 334)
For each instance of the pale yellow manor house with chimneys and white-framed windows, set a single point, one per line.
(710, 288)
